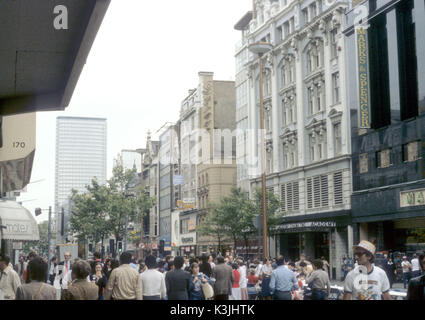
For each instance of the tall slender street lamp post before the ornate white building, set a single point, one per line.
(260, 48)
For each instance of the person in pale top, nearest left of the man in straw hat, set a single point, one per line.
(319, 280)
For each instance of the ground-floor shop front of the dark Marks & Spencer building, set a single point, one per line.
(393, 218)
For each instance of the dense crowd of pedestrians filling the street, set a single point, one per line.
(200, 278)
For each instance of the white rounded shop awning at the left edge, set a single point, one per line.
(18, 222)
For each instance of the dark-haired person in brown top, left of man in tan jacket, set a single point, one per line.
(80, 288)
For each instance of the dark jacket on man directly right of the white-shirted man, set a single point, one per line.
(178, 284)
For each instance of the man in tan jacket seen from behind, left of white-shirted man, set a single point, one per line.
(124, 282)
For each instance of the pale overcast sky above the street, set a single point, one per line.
(145, 58)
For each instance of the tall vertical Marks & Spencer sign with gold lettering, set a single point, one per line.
(363, 77)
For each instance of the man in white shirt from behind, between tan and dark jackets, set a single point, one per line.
(153, 281)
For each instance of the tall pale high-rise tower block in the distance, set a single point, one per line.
(80, 157)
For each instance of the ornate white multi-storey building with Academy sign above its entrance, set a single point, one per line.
(307, 127)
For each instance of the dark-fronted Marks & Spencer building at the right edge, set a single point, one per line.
(388, 122)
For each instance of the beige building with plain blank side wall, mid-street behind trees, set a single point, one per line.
(208, 163)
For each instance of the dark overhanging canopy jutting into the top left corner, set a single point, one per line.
(40, 64)
